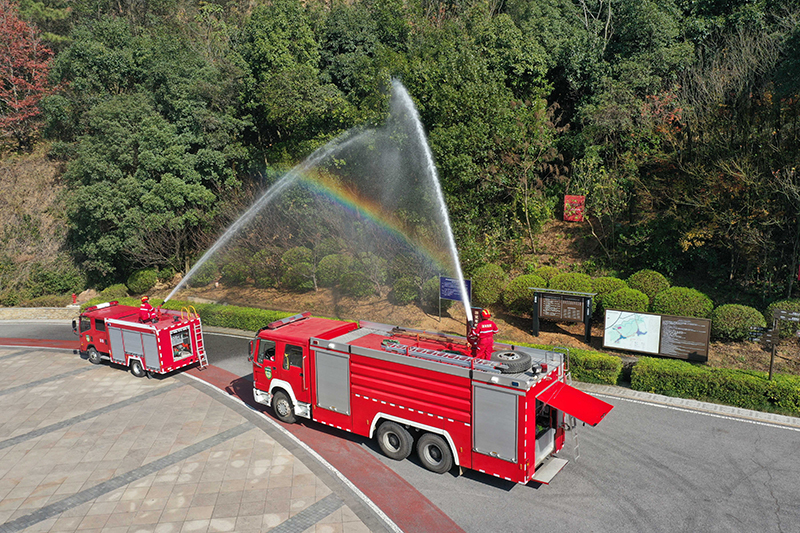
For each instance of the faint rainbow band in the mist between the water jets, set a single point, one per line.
(350, 200)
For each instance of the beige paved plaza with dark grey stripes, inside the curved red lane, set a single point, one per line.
(92, 448)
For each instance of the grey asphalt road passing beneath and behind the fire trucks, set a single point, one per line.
(645, 467)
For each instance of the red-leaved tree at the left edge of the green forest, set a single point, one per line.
(24, 64)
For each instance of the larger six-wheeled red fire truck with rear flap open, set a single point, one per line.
(413, 389)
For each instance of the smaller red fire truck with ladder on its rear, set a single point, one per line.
(172, 340)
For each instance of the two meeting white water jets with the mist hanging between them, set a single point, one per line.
(379, 179)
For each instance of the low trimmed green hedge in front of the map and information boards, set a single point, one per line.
(740, 388)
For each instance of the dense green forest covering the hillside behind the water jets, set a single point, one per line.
(677, 119)
